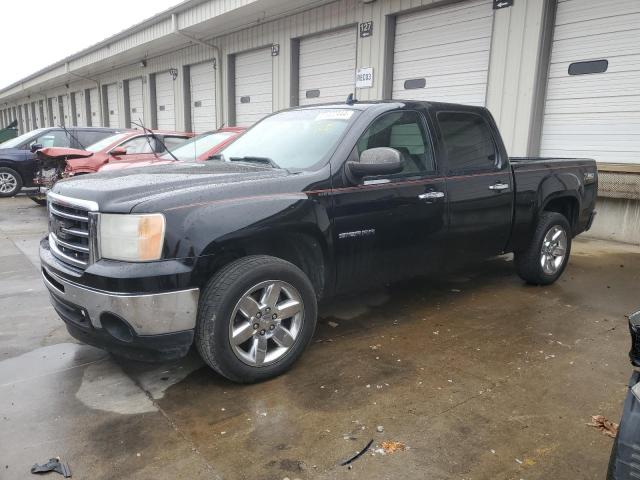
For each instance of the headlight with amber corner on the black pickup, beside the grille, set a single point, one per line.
(131, 238)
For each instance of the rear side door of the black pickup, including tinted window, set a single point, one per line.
(479, 186)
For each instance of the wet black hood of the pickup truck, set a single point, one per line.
(165, 186)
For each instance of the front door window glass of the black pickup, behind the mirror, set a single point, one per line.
(405, 132)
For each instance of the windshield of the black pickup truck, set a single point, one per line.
(296, 139)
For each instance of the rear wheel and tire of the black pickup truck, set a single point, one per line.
(530, 264)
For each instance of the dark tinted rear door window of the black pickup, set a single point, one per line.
(468, 142)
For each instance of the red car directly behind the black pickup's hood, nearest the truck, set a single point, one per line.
(197, 149)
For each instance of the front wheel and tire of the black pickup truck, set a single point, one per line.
(227, 339)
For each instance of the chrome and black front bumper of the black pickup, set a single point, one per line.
(155, 326)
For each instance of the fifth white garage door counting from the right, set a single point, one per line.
(203, 97)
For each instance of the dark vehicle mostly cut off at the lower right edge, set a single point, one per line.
(624, 463)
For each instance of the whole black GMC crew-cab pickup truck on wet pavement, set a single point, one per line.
(233, 254)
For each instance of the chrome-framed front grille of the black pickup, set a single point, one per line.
(70, 229)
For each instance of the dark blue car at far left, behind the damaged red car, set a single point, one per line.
(18, 165)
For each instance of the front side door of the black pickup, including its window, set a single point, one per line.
(390, 227)
